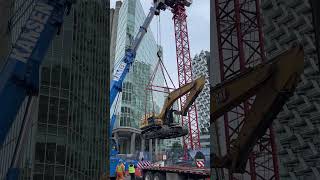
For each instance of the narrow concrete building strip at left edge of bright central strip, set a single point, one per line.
(114, 16)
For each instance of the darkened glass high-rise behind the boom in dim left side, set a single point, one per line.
(69, 123)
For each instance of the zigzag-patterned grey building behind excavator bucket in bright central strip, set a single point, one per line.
(200, 66)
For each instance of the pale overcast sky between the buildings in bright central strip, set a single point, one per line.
(198, 27)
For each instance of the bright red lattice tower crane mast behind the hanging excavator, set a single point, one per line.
(192, 140)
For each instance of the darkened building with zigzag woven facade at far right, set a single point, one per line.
(297, 125)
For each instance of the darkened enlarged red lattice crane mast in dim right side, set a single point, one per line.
(240, 44)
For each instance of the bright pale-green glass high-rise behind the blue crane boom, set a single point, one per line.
(134, 100)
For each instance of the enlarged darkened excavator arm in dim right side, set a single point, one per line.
(272, 84)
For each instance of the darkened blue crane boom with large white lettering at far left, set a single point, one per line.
(20, 76)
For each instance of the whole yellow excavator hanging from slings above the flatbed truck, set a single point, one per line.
(162, 125)
